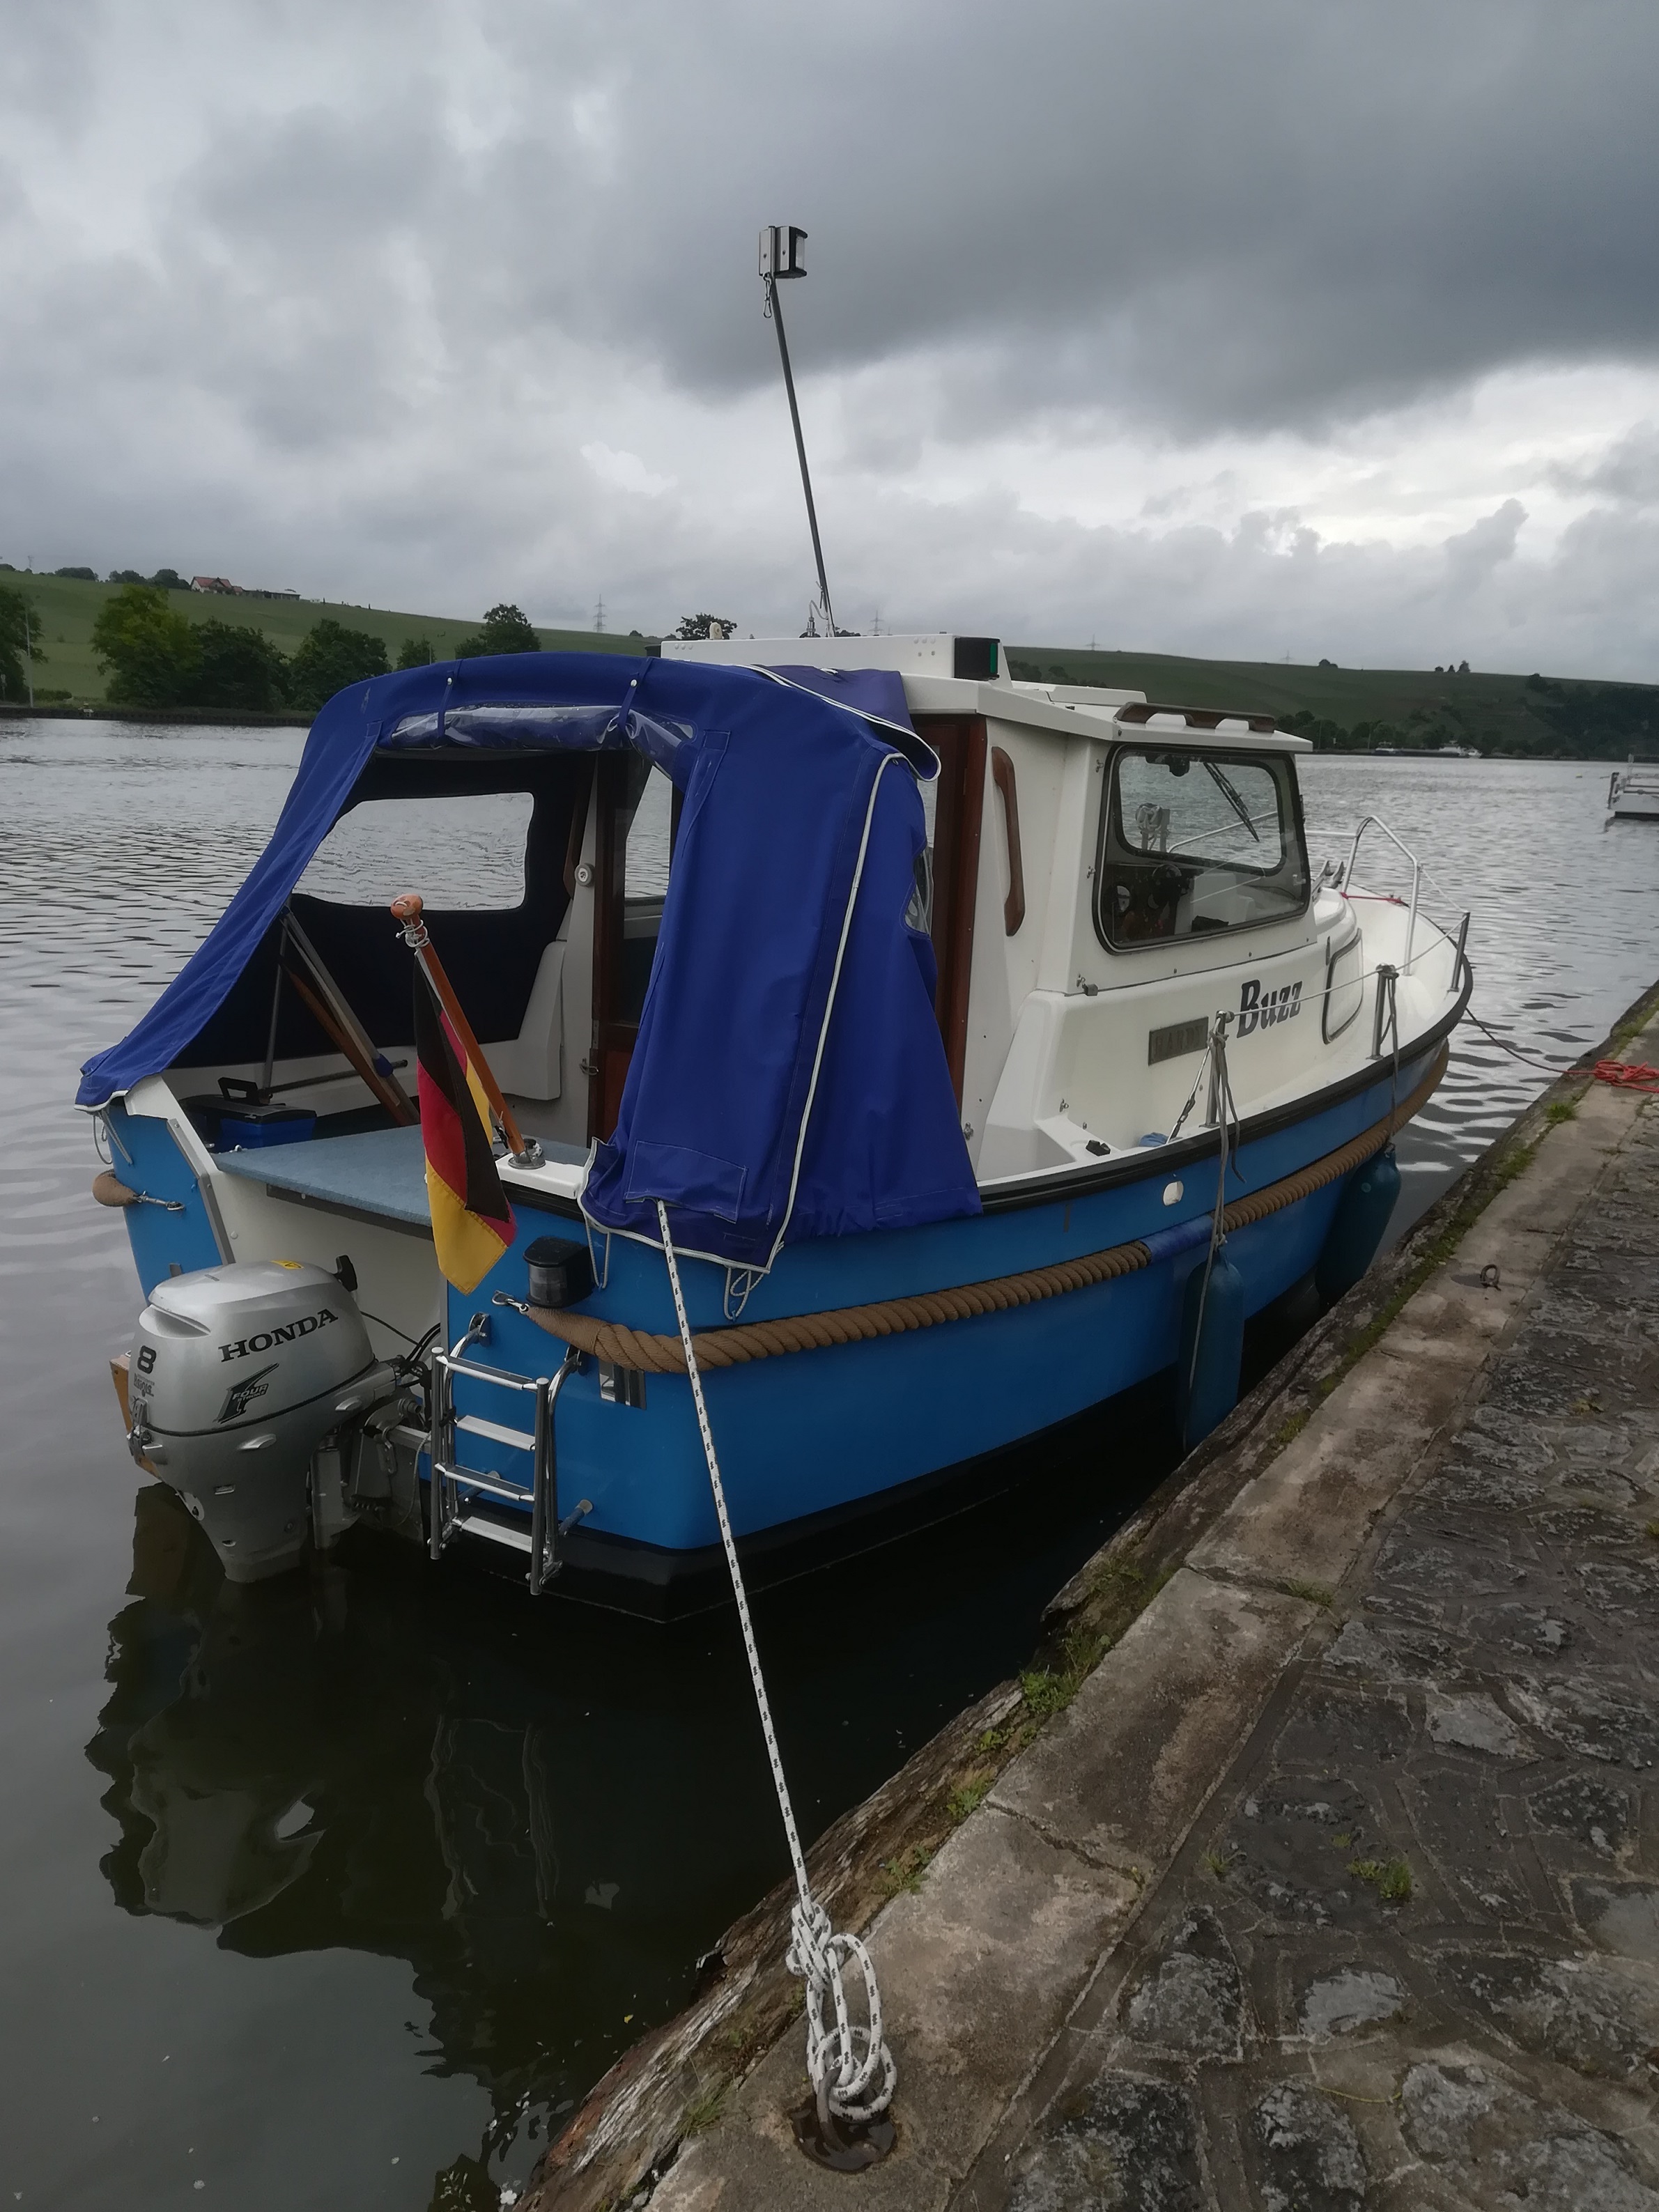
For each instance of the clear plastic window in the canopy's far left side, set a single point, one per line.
(463, 853)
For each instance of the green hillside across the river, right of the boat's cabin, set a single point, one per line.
(1350, 709)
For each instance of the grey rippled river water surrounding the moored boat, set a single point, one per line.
(344, 1890)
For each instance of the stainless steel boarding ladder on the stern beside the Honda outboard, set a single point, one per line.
(452, 1485)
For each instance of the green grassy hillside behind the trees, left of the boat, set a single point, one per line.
(70, 609)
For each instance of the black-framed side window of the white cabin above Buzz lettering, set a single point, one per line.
(1198, 842)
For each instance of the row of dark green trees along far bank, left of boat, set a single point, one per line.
(158, 658)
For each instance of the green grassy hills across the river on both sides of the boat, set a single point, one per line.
(1337, 707)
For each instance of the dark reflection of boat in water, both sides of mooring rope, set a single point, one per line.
(550, 1813)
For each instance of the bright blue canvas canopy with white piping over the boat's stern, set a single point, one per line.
(789, 1078)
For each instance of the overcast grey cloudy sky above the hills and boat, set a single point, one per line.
(1240, 328)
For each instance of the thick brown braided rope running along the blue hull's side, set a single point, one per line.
(893, 1317)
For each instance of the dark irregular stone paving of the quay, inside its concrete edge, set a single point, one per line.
(1410, 1959)
